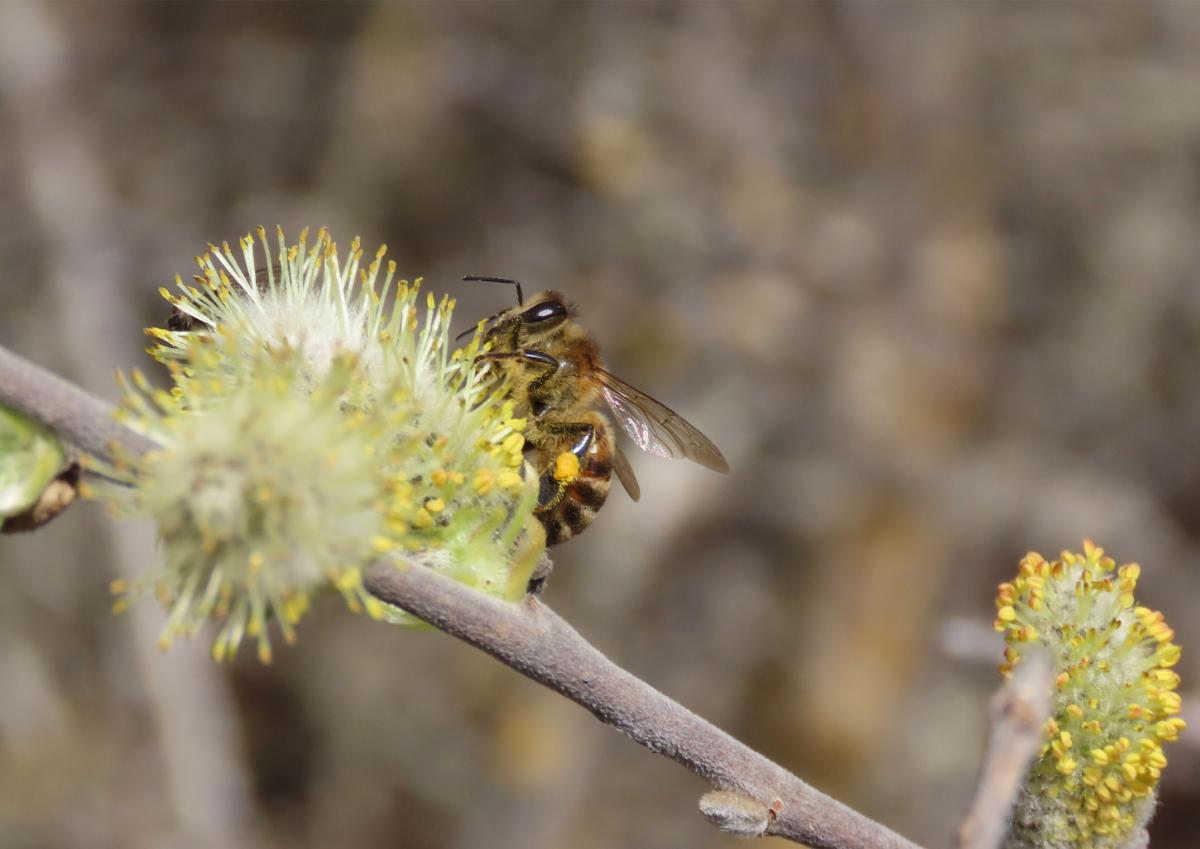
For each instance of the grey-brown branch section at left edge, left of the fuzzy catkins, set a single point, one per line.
(70, 413)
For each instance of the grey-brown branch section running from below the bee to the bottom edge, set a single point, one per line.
(539, 645)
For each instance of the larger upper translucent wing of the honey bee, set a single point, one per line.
(656, 427)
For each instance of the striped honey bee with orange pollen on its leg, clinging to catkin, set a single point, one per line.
(559, 381)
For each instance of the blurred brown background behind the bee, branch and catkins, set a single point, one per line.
(927, 273)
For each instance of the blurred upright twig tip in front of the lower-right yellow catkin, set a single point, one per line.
(1018, 713)
